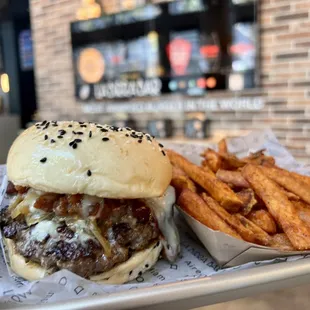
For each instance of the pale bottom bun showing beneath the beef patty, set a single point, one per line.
(125, 272)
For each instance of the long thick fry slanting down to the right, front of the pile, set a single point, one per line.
(281, 209)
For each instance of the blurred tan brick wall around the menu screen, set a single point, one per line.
(285, 72)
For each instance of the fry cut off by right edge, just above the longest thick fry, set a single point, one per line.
(289, 182)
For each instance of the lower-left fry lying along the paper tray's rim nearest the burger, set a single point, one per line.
(195, 206)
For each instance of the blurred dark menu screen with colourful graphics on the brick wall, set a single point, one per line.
(155, 47)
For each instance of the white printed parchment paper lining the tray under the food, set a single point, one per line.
(193, 262)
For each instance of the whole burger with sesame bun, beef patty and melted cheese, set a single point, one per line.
(92, 199)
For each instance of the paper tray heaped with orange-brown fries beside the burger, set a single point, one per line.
(246, 208)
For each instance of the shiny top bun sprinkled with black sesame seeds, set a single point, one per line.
(128, 165)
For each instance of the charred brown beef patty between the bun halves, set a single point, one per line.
(127, 225)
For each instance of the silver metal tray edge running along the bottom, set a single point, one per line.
(197, 293)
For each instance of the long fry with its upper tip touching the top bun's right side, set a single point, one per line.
(217, 189)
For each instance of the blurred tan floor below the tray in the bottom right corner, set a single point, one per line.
(290, 299)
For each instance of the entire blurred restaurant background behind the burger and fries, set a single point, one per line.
(187, 70)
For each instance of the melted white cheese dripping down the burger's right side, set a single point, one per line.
(163, 210)
